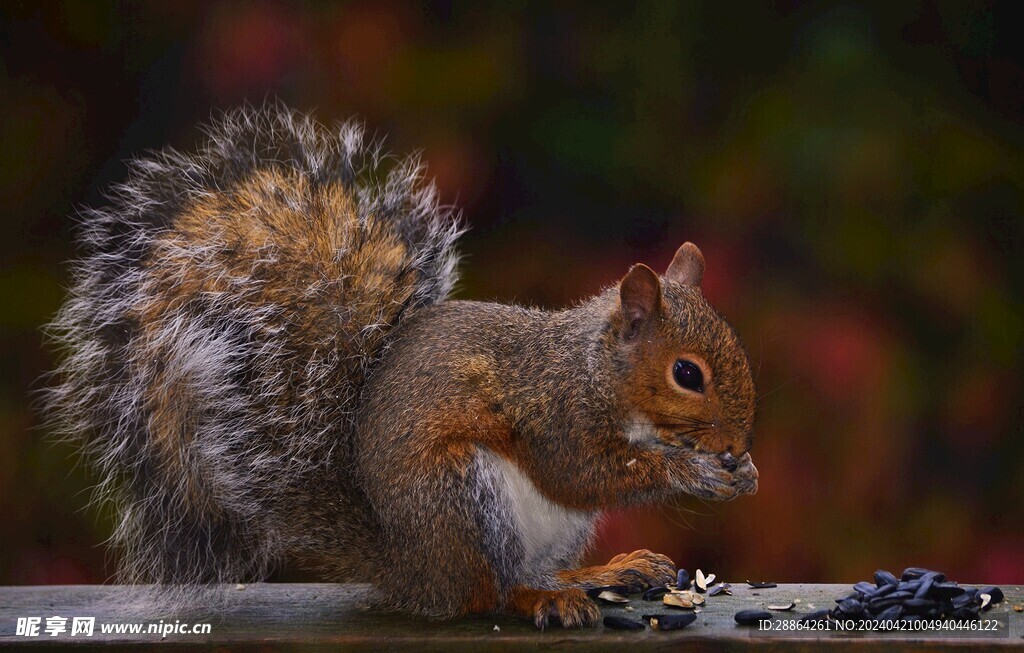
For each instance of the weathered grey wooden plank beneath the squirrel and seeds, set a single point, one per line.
(336, 618)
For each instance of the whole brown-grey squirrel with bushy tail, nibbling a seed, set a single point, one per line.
(264, 366)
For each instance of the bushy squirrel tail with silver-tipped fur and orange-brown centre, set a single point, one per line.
(227, 309)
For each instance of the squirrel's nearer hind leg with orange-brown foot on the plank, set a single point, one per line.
(449, 544)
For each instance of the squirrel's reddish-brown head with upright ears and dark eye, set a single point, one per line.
(690, 380)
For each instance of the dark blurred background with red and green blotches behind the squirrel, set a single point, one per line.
(855, 177)
